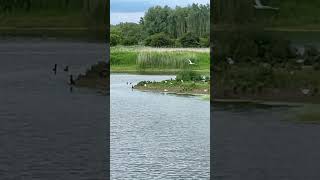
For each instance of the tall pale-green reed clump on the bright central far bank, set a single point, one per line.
(165, 60)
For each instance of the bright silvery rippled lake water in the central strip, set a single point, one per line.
(155, 135)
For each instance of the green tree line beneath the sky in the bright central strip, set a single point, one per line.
(166, 27)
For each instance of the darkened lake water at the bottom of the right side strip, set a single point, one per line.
(253, 142)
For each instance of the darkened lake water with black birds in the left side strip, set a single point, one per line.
(46, 131)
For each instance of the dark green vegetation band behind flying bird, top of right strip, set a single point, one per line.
(290, 12)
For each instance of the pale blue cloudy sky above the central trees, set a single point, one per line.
(132, 10)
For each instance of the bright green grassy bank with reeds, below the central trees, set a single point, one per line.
(146, 60)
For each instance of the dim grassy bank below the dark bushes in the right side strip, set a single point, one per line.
(261, 83)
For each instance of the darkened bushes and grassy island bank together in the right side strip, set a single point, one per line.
(265, 66)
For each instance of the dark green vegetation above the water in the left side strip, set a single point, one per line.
(67, 19)
